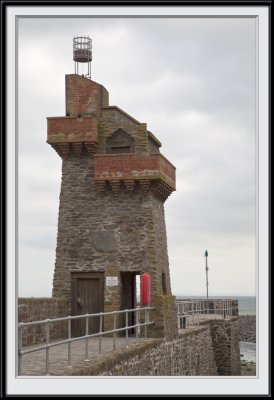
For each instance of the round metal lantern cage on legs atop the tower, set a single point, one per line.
(82, 53)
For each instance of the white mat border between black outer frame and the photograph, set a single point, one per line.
(144, 385)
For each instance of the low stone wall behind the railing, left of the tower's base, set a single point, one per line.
(39, 309)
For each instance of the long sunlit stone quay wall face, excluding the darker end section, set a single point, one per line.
(190, 354)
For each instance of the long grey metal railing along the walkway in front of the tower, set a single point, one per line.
(47, 346)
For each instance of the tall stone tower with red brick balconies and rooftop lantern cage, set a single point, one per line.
(115, 181)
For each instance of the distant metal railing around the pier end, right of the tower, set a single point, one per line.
(192, 312)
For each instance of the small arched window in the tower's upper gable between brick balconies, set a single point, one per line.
(120, 142)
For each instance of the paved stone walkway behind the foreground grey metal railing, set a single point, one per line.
(34, 364)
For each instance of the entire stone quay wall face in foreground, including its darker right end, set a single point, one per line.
(208, 350)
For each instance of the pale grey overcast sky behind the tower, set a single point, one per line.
(192, 80)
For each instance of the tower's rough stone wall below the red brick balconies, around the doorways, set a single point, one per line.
(101, 232)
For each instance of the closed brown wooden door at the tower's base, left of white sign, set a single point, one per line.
(87, 298)
